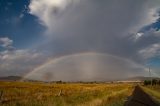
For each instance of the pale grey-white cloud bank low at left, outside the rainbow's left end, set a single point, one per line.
(19, 62)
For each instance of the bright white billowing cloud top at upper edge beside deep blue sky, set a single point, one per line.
(47, 10)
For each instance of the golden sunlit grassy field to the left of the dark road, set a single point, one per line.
(70, 94)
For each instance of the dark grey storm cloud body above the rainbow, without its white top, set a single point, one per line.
(101, 26)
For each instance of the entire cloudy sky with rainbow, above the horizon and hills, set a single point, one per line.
(79, 40)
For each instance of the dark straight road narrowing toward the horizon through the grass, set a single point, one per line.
(140, 98)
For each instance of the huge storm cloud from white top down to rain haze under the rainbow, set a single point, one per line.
(95, 40)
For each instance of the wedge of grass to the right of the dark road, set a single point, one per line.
(153, 91)
